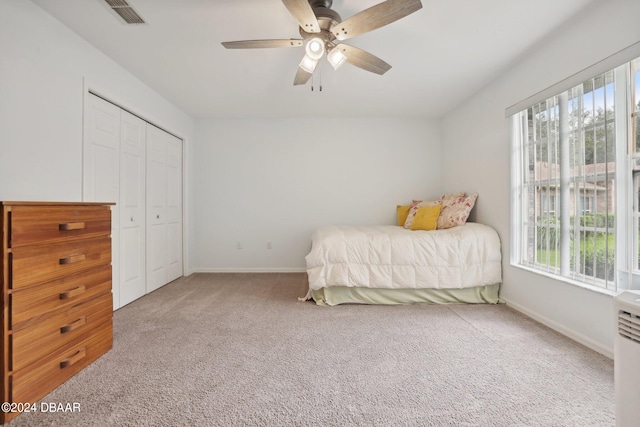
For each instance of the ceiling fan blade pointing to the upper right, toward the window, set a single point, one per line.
(375, 17)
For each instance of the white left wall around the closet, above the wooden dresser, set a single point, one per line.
(43, 67)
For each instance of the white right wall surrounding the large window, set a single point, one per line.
(482, 146)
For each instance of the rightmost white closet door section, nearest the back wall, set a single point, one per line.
(164, 208)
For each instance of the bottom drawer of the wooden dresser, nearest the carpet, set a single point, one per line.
(38, 379)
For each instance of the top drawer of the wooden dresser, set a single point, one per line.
(50, 224)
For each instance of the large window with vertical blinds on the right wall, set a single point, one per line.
(570, 177)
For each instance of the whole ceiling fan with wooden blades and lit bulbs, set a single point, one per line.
(321, 26)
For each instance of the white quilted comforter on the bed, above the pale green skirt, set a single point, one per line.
(393, 257)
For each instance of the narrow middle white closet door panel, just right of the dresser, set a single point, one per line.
(132, 207)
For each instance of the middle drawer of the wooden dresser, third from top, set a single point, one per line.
(32, 305)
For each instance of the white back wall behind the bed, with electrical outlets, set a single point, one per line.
(275, 180)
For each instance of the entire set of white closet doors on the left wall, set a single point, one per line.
(139, 167)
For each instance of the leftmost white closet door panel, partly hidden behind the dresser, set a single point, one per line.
(100, 171)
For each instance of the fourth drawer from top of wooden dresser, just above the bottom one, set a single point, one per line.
(41, 339)
